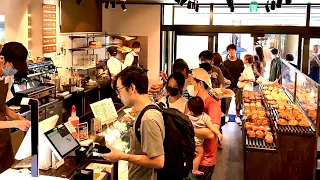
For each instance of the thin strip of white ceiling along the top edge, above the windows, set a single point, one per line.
(220, 1)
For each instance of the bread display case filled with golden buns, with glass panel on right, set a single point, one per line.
(291, 110)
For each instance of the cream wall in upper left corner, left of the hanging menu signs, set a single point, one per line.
(16, 20)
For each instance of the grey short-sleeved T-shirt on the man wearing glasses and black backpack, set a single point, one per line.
(152, 136)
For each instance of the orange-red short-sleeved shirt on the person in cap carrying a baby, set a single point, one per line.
(212, 108)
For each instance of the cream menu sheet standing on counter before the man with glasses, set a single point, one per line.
(105, 111)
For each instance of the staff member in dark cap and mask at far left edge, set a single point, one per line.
(15, 56)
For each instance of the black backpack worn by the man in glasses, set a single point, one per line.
(179, 145)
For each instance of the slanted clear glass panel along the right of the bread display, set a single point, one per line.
(304, 91)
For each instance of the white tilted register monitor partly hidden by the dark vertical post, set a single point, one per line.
(45, 154)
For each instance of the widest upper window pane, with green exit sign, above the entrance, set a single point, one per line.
(286, 16)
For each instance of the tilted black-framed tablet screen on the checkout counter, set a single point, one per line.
(61, 141)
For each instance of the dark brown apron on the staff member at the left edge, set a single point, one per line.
(6, 150)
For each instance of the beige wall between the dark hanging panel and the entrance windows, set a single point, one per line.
(138, 20)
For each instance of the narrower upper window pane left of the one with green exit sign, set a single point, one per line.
(185, 16)
